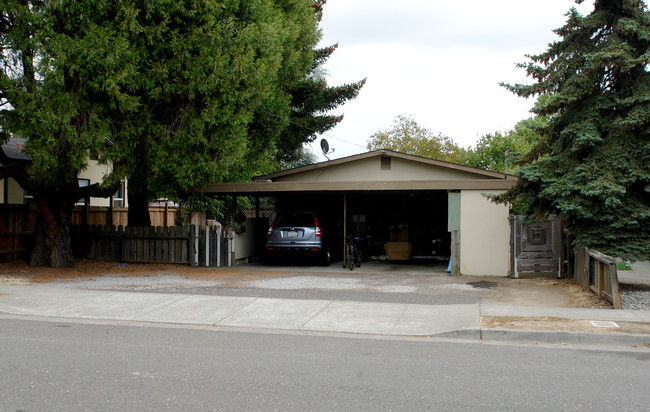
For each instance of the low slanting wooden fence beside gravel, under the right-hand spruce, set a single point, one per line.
(597, 272)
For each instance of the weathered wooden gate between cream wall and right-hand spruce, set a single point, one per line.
(537, 249)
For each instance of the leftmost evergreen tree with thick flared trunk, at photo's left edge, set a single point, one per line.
(59, 67)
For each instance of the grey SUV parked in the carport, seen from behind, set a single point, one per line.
(297, 234)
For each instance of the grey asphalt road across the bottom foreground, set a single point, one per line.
(73, 367)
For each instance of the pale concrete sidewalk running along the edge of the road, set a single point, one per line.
(460, 321)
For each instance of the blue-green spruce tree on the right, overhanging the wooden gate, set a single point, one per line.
(592, 165)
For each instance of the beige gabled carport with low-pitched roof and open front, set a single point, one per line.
(436, 208)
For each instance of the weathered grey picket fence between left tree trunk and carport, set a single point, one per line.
(189, 245)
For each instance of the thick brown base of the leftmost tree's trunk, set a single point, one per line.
(53, 246)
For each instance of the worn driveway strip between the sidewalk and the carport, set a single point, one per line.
(373, 282)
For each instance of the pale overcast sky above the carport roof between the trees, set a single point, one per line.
(437, 61)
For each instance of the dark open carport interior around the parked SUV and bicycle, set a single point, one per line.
(398, 227)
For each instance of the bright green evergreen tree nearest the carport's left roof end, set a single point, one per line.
(207, 73)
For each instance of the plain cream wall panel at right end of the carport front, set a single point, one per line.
(485, 236)
